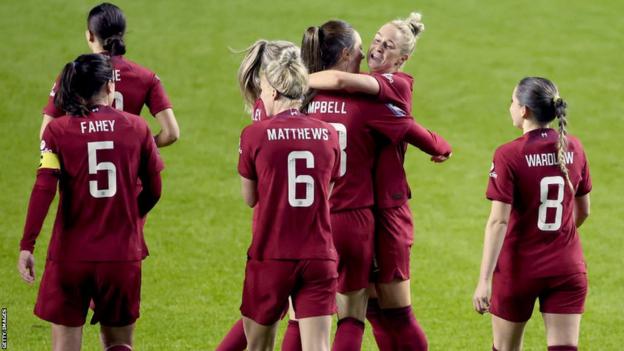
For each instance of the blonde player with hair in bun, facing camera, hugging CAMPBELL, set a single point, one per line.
(389, 308)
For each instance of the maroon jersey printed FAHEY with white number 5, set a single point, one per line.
(101, 157)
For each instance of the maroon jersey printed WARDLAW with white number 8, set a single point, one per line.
(542, 239)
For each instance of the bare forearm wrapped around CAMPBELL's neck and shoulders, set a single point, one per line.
(350, 82)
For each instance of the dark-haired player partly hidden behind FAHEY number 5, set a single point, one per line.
(135, 85)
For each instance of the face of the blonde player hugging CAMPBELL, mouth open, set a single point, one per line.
(384, 54)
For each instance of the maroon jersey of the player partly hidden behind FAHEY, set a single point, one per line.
(135, 86)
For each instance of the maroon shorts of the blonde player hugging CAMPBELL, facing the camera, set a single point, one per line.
(394, 236)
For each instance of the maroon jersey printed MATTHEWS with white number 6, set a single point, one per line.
(293, 158)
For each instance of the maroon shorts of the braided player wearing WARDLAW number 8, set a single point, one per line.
(513, 298)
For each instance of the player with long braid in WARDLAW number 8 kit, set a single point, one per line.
(539, 187)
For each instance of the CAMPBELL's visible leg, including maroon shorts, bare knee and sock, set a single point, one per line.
(353, 237)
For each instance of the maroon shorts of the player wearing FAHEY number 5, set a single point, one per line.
(67, 288)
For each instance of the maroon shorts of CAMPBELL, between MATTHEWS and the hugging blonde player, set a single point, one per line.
(353, 232)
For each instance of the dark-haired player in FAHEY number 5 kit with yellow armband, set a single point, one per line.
(96, 155)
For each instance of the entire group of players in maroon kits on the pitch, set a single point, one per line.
(321, 165)
